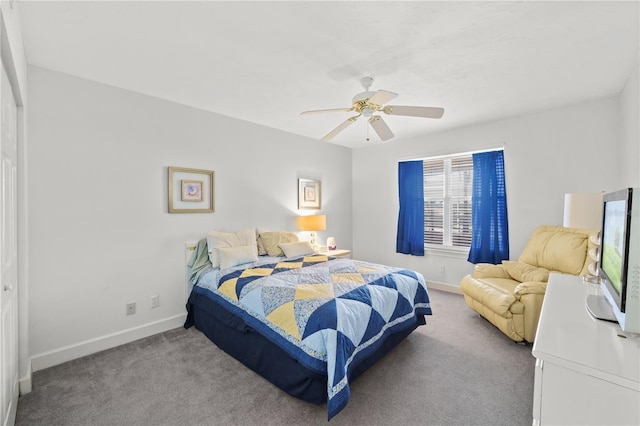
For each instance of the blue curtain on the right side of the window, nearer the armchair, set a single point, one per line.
(490, 229)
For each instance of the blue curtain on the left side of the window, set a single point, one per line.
(410, 237)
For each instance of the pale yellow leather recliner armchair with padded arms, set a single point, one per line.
(510, 295)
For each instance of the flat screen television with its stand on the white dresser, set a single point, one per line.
(619, 270)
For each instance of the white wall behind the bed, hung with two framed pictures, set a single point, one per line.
(100, 234)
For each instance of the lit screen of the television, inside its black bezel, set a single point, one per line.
(613, 240)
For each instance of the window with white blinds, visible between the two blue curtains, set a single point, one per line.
(448, 184)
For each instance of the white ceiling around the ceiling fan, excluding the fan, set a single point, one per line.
(265, 62)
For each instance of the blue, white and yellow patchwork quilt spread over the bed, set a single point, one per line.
(325, 312)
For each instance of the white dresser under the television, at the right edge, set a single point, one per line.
(586, 373)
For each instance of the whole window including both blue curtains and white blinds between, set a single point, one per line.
(443, 199)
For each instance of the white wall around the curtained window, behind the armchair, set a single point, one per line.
(572, 149)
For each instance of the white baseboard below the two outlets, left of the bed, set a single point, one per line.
(88, 347)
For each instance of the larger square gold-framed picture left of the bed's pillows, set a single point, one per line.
(190, 190)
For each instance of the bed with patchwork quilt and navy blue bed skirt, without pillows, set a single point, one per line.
(306, 322)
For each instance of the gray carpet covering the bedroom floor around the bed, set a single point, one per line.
(456, 370)
